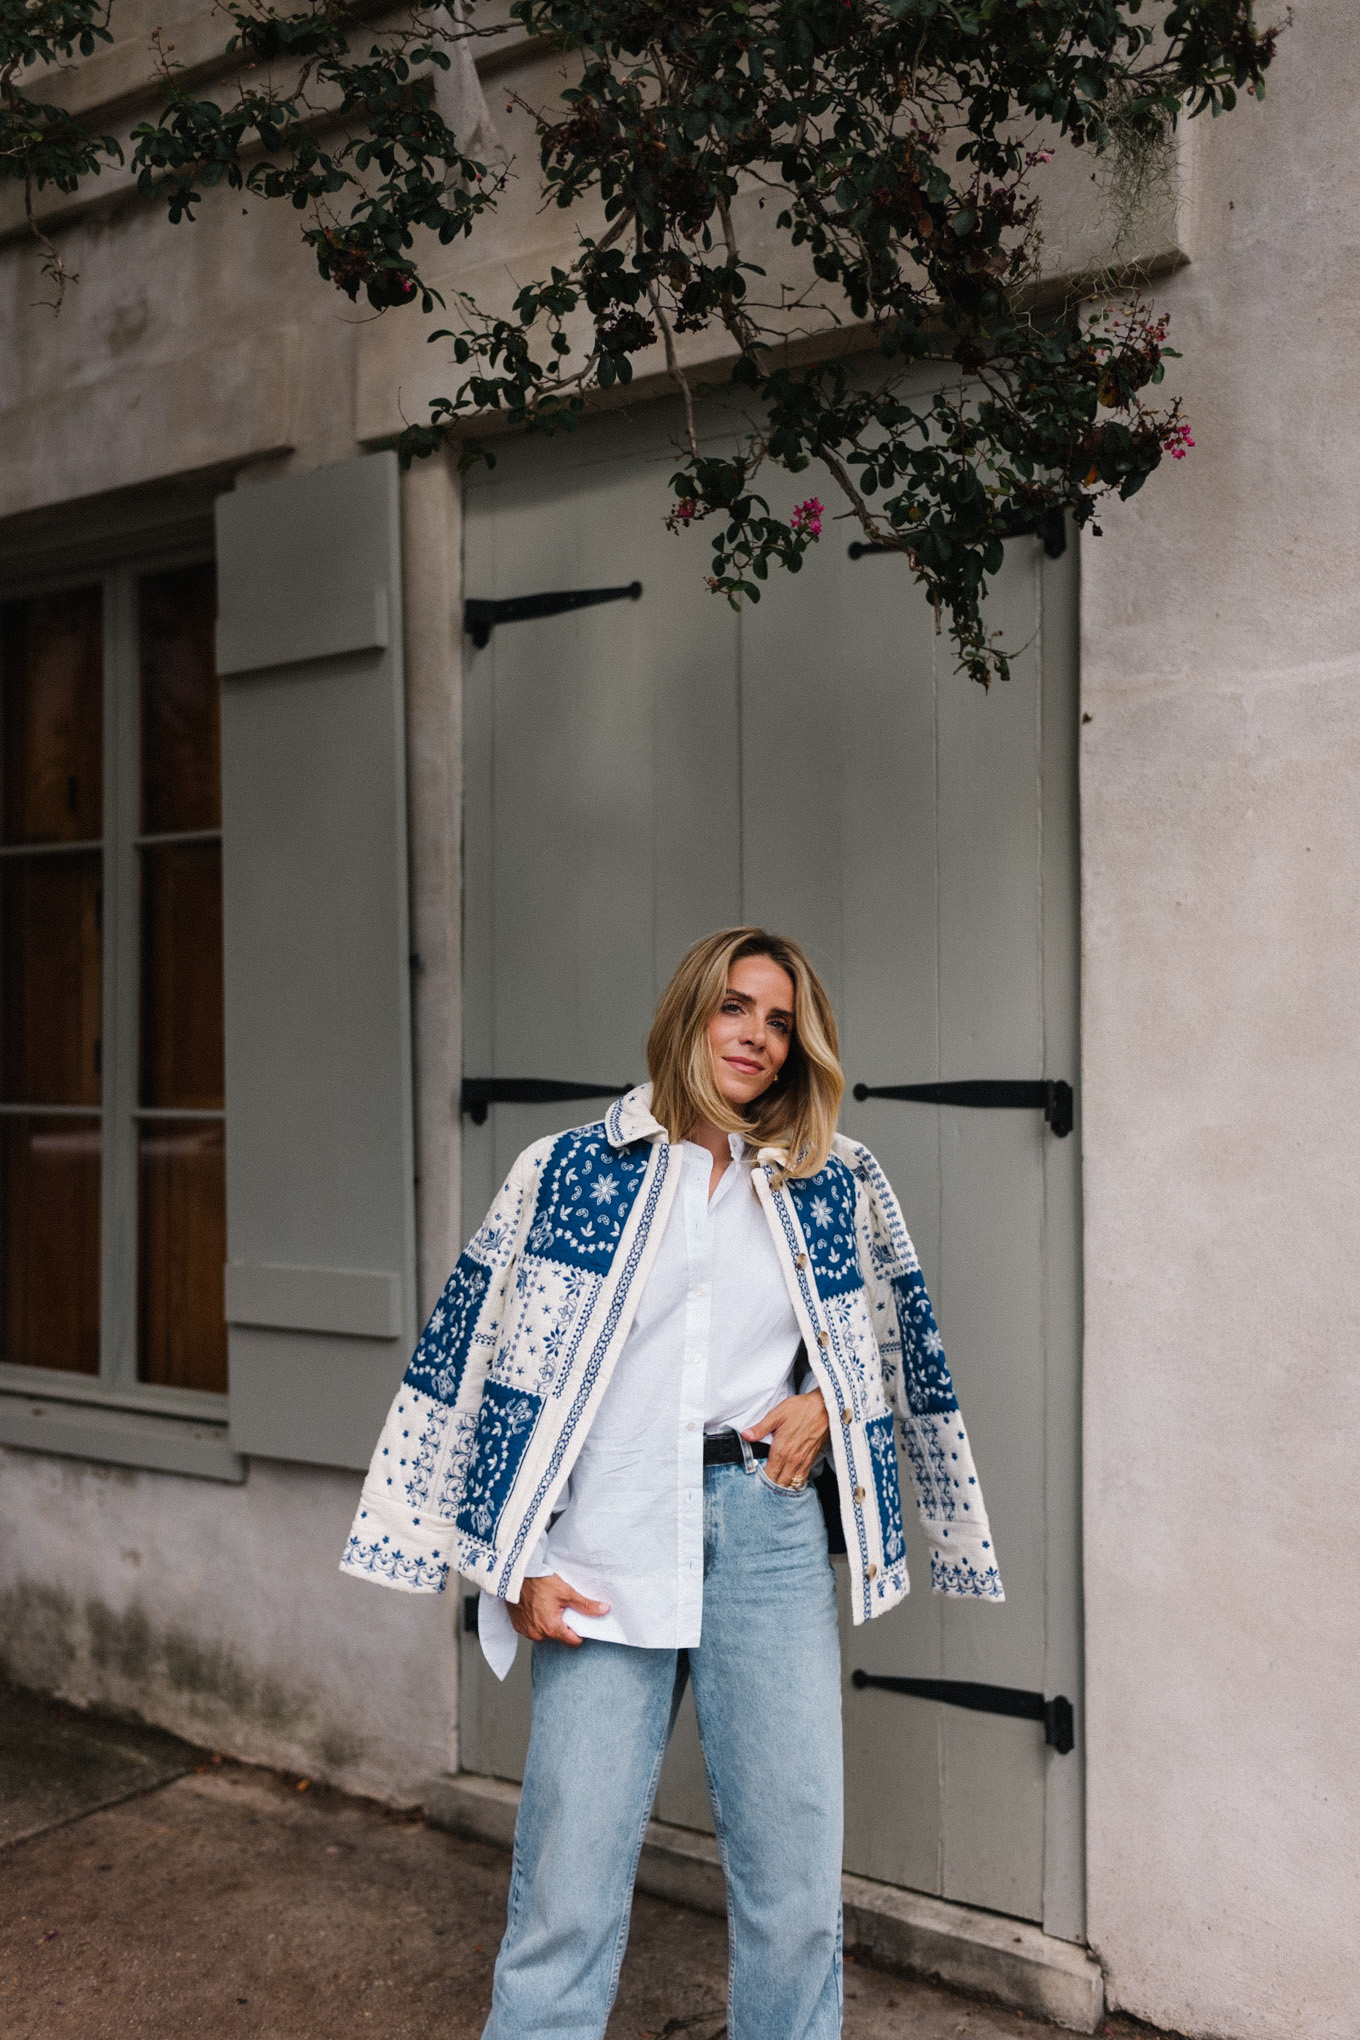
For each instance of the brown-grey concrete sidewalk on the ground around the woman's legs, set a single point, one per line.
(223, 1900)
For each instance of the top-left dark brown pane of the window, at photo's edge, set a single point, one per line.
(52, 664)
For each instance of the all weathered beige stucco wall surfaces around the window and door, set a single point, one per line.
(1220, 819)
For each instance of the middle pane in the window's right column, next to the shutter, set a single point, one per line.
(182, 976)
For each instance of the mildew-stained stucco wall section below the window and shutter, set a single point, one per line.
(221, 1613)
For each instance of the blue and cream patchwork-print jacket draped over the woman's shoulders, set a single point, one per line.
(519, 1354)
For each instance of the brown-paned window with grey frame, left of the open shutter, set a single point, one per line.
(113, 1160)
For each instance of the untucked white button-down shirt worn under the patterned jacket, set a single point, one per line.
(713, 1347)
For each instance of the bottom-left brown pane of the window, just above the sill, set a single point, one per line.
(50, 1243)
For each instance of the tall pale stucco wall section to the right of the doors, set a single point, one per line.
(1222, 1105)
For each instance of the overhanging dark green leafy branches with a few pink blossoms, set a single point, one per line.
(892, 136)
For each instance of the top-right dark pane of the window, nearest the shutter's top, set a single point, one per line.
(180, 729)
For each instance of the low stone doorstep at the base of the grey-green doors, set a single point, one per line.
(902, 1931)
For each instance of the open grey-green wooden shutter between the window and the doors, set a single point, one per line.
(321, 1278)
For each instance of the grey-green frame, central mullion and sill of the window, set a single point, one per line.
(46, 1409)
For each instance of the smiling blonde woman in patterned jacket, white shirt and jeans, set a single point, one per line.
(611, 1425)
